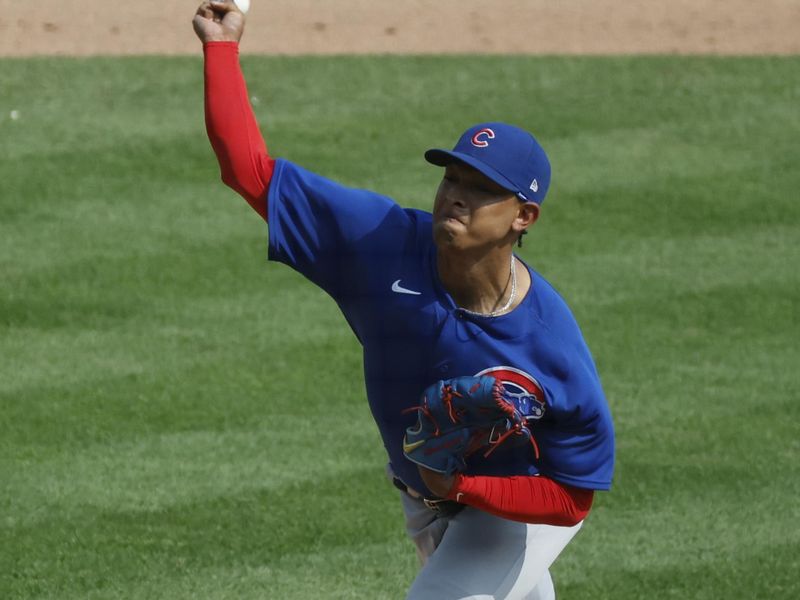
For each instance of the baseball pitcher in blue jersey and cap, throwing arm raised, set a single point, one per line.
(486, 396)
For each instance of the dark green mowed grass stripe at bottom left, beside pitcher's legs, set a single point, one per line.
(205, 534)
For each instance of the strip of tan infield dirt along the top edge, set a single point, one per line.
(89, 27)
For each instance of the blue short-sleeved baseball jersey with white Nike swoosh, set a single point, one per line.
(377, 260)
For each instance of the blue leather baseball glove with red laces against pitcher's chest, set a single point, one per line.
(461, 416)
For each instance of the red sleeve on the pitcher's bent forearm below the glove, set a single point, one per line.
(527, 499)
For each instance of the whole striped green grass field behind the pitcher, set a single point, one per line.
(154, 367)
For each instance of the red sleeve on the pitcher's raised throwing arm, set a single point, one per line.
(232, 128)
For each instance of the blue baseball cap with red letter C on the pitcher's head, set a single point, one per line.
(508, 155)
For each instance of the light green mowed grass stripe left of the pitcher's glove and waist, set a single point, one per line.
(156, 472)
